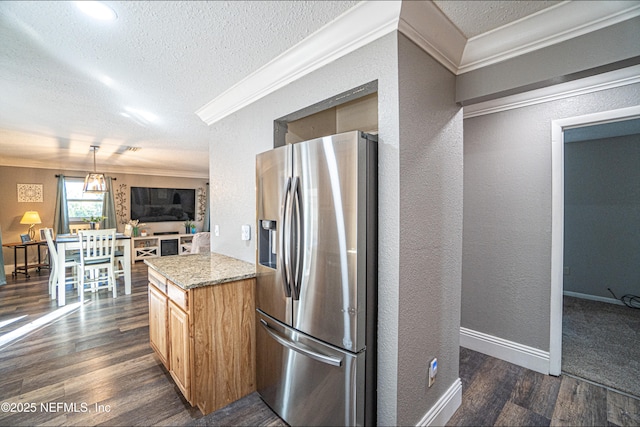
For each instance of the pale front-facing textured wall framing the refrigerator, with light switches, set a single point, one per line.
(236, 140)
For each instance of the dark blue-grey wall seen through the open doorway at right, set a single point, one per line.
(602, 213)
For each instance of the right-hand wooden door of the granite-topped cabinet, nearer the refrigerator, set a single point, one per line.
(179, 362)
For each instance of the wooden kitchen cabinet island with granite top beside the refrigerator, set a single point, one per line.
(202, 325)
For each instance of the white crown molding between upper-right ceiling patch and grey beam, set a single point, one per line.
(550, 26)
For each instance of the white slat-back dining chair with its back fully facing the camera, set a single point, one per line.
(97, 254)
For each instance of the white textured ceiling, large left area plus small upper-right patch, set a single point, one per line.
(68, 82)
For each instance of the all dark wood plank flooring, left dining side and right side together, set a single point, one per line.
(94, 366)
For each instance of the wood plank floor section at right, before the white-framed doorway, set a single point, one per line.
(498, 393)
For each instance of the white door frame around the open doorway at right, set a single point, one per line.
(557, 218)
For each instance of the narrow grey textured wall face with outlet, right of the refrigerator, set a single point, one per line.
(430, 230)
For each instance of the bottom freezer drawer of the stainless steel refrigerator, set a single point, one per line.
(305, 381)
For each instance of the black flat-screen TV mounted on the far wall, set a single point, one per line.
(162, 204)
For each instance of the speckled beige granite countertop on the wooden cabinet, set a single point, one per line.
(197, 270)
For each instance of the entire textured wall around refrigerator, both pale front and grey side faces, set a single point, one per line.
(419, 188)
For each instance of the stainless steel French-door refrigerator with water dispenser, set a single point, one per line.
(316, 280)
